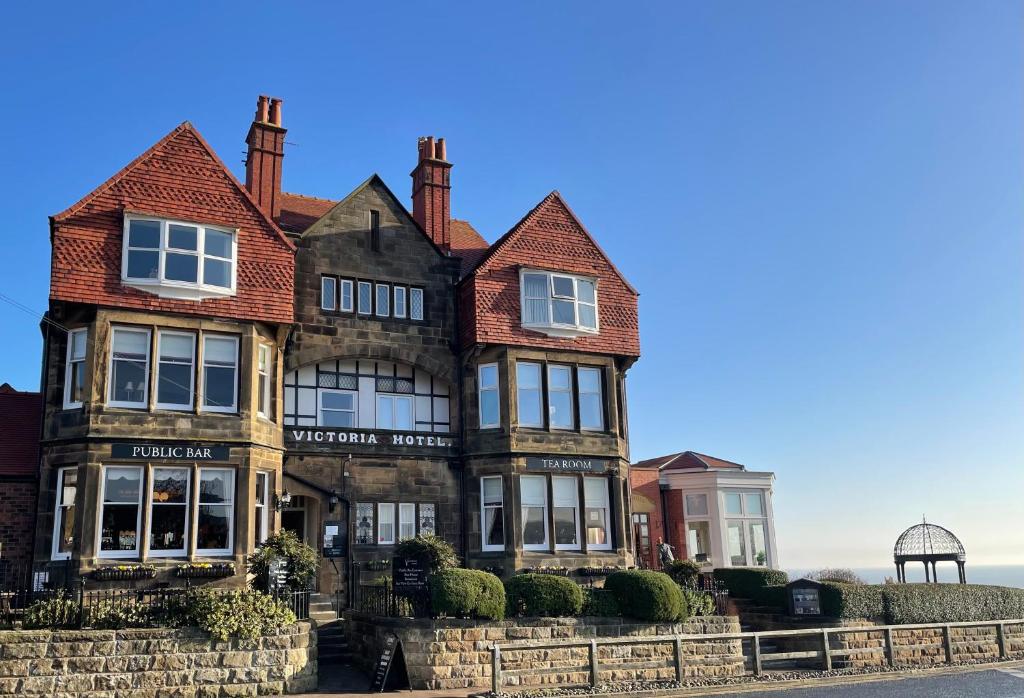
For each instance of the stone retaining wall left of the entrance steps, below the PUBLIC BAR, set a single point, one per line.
(147, 664)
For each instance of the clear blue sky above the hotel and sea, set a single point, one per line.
(820, 202)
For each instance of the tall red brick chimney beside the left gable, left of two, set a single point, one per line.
(266, 155)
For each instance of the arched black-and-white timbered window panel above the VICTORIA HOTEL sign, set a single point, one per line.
(367, 395)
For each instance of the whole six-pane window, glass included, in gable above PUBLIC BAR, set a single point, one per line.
(175, 259)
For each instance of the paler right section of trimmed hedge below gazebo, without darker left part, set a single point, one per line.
(951, 603)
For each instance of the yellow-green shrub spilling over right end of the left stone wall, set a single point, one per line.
(247, 615)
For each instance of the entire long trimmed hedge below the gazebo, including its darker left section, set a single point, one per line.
(904, 604)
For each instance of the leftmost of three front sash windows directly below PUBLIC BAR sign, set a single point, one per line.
(120, 512)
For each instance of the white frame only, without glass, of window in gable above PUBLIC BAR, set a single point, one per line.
(177, 289)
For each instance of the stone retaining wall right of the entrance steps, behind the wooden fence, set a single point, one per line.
(454, 655)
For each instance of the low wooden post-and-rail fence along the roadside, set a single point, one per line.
(758, 655)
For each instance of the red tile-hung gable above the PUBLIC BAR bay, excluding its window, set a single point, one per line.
(180, 178)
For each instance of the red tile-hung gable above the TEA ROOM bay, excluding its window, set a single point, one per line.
(550, 237)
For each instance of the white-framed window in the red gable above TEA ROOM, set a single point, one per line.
(560, 306)
